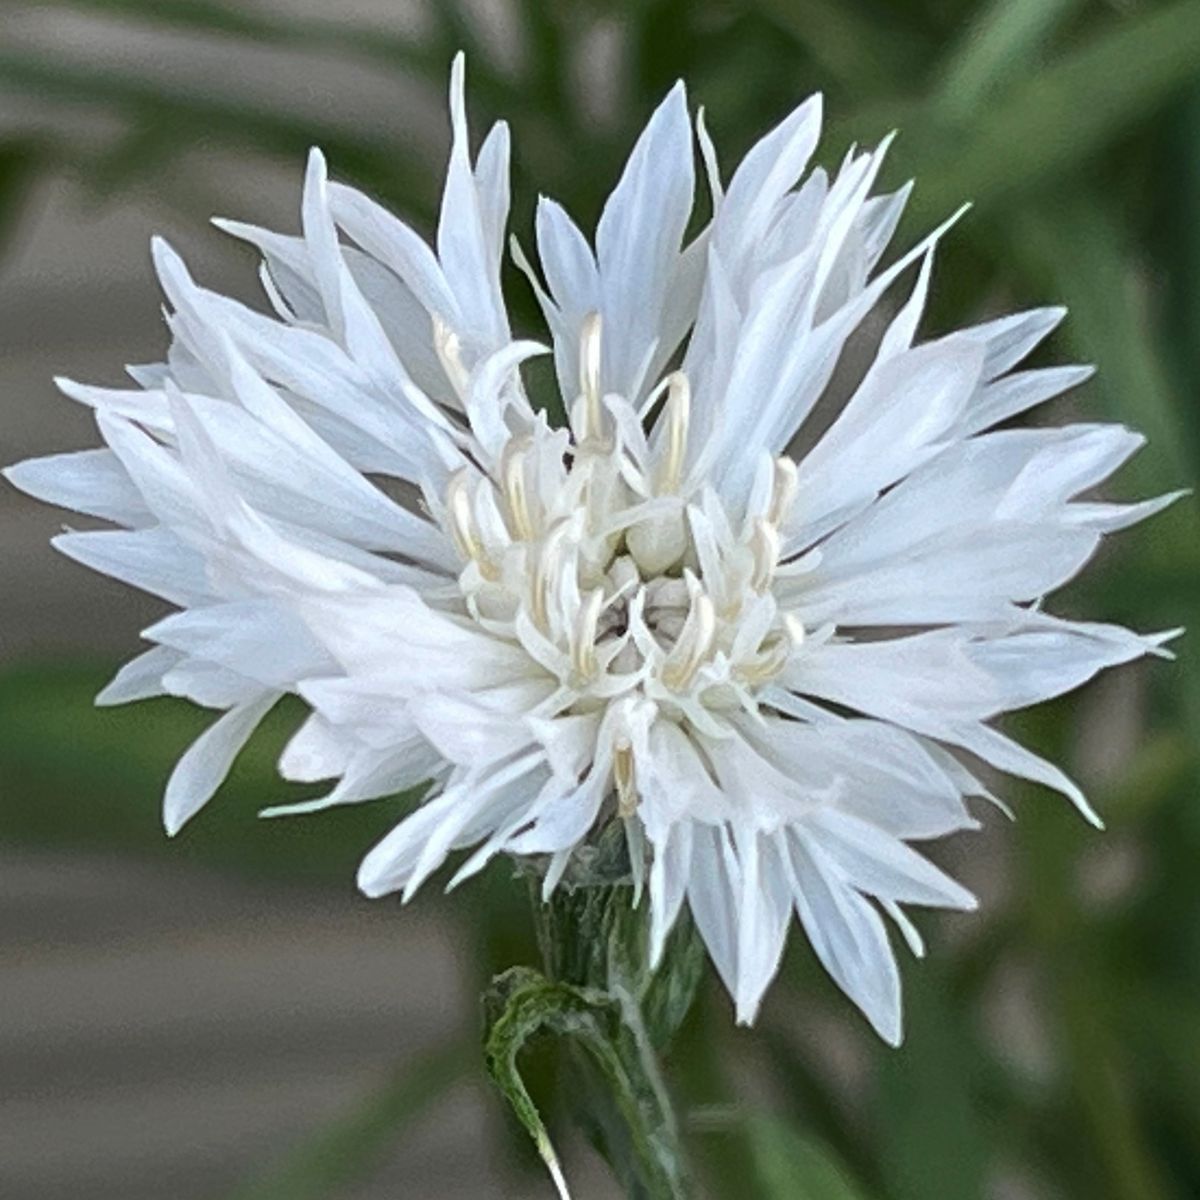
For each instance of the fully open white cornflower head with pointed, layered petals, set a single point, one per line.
(761, 659)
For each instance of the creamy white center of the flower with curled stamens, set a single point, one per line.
(615, 566)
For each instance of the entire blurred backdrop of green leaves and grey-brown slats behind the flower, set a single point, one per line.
(221, 1016)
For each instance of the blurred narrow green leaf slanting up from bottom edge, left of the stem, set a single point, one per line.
(350, 1149)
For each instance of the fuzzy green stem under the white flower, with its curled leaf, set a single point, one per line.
(614, 1016)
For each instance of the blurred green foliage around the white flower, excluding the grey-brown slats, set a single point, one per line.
(1075, 127)
